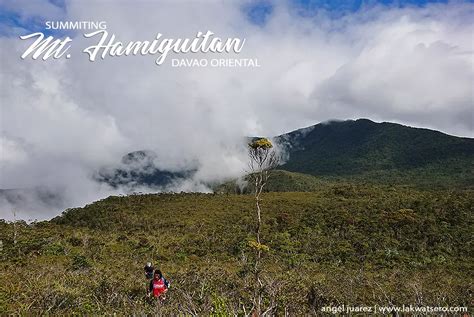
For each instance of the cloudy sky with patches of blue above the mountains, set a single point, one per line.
(409, 62)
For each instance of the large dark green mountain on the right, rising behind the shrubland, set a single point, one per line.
(380, 152)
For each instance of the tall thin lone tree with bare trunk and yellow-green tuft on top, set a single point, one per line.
(263, 158)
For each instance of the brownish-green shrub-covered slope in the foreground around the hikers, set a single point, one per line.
(343, 244)
